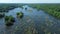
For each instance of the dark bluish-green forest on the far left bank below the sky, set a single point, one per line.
(7, 7)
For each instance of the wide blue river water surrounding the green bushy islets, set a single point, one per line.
(33, 22)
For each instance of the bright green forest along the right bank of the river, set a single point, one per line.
(53, 9)
